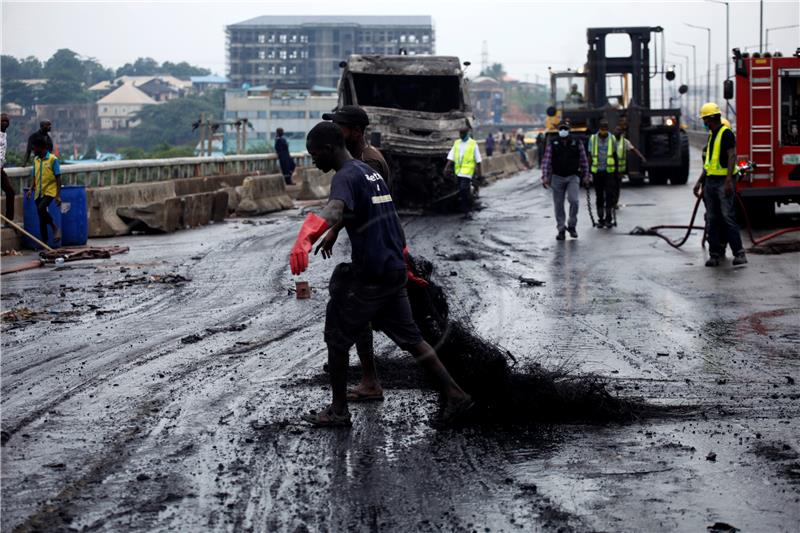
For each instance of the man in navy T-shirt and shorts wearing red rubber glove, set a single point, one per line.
(372, 287)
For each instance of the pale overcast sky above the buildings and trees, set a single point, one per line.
(525, 36)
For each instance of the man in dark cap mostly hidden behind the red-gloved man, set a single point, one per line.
(353, 121)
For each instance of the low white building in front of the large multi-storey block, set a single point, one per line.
(294, 110)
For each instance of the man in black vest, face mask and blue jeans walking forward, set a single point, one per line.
(564, 167)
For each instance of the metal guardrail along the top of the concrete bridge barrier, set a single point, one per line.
(144, 170)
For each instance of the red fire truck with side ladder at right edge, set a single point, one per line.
(767, 131)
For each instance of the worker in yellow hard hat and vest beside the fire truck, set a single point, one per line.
(717, 187)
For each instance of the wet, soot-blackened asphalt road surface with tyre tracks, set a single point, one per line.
(149, 403)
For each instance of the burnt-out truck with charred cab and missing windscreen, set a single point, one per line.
(416, 105)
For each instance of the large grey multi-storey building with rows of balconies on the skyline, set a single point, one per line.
(303, 51)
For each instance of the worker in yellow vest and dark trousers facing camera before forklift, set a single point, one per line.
(603, 166)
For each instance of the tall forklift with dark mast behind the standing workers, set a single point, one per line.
(617, 89)
